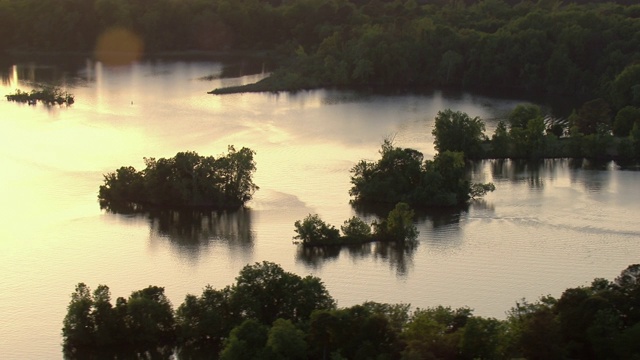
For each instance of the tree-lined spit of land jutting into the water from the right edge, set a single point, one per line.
(590, 132)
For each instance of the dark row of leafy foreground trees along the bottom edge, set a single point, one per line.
(269, 313)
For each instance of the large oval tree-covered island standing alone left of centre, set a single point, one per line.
(187, 180)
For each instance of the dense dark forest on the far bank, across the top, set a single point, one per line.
(547, 46)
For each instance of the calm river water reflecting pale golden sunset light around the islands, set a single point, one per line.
(548, 226)
